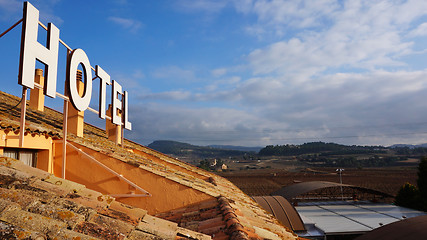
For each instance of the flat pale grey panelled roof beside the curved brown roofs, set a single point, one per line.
(349, 219)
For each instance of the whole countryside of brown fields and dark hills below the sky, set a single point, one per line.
(384, 169)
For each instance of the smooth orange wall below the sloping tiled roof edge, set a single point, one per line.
(166, 194)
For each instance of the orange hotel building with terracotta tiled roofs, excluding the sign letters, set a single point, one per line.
(101, 175)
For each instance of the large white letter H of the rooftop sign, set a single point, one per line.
(32, 50)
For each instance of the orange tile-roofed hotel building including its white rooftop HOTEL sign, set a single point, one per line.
(62, 178)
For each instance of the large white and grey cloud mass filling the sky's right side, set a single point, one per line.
(341, 77)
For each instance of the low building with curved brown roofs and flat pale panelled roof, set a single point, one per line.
(327, 210)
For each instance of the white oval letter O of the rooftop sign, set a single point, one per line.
(79, 56)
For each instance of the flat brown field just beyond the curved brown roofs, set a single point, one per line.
(256, 182)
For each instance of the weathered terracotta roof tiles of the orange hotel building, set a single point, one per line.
(231, 215)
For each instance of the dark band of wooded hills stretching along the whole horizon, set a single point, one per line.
(313, 154)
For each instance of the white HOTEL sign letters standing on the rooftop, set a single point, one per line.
(32, 50)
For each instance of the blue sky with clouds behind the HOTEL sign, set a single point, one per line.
(247, 72)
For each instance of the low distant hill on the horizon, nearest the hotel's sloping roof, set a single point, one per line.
(192, 151)
